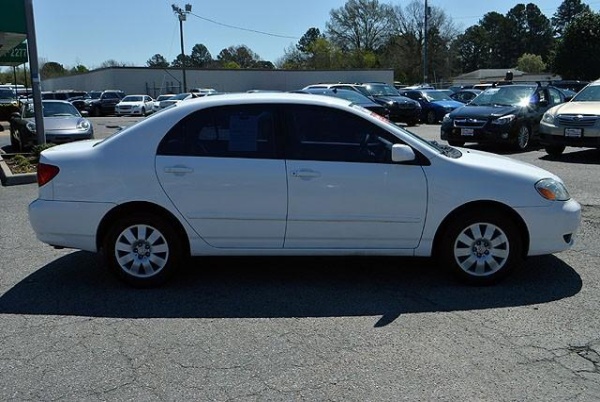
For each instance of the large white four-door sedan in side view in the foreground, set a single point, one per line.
(293, 174)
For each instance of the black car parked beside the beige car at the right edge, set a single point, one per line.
(505, 114)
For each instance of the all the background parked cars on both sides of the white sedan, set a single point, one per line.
(518, 114)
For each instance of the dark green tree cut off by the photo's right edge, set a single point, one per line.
(578, 53)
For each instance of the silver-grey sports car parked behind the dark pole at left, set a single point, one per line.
(62, 123)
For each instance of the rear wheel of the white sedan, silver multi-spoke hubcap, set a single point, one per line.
(159, 242)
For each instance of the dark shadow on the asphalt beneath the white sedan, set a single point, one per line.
(281, 287)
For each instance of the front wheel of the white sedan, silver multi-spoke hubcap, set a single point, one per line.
(480, 247)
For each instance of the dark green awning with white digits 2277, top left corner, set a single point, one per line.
(13, 26)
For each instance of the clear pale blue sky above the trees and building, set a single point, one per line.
(73, 32)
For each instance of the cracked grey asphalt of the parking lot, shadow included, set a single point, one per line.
(281, 329)
